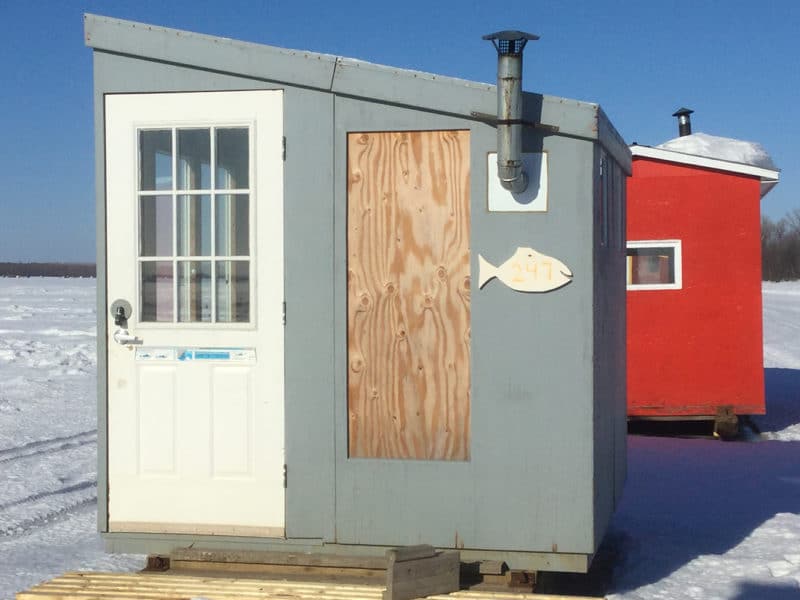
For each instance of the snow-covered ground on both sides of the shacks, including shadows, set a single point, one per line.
(699, 519)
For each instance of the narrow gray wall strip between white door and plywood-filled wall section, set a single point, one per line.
(309, 259)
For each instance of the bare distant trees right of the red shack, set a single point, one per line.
(780, 247)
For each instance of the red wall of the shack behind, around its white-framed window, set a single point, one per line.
(700, 347)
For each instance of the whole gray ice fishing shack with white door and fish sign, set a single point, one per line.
(326, 325)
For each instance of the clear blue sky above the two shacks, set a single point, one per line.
(736, 63)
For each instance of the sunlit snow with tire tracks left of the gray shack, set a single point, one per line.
(48, 435)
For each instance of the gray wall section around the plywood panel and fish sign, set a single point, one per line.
(528, 482)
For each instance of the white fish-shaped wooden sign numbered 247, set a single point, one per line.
(526, 271)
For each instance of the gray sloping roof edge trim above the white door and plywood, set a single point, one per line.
(334, 74)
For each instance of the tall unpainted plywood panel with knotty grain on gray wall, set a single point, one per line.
(408, 295)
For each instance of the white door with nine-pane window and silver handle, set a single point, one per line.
(194, 217)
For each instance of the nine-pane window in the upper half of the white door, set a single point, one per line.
(194, 224)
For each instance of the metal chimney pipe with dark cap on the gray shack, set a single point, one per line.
(509, 46)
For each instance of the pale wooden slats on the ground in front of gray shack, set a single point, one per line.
(162, 586)
